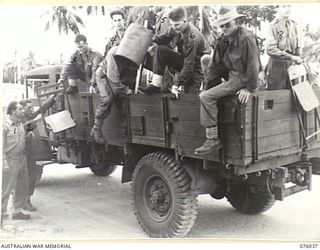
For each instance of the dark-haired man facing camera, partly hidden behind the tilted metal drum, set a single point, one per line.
(118, 23)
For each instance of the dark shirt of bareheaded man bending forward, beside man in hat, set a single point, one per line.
(191, 45)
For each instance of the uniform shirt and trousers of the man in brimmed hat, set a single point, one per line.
(236, 59)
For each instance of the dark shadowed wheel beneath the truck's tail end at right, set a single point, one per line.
(242, 199)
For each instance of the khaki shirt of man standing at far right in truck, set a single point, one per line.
(283, 40)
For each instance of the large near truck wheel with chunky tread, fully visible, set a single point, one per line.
(164, 203)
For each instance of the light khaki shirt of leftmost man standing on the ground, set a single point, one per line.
(13, 140)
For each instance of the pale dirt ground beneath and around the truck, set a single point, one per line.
(74, 204)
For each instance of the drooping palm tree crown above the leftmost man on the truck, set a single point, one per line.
(65, 18)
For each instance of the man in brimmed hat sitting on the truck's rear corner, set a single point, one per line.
(236, 59)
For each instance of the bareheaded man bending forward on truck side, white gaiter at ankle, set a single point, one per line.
(190, 44)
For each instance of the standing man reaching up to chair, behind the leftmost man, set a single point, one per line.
(30, 125)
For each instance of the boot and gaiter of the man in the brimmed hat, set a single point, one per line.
(212, 142)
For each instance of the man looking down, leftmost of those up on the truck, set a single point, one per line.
(81, 66)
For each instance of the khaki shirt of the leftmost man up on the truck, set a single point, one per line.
(82, 66)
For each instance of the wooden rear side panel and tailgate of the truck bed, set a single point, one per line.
(267, 127)
